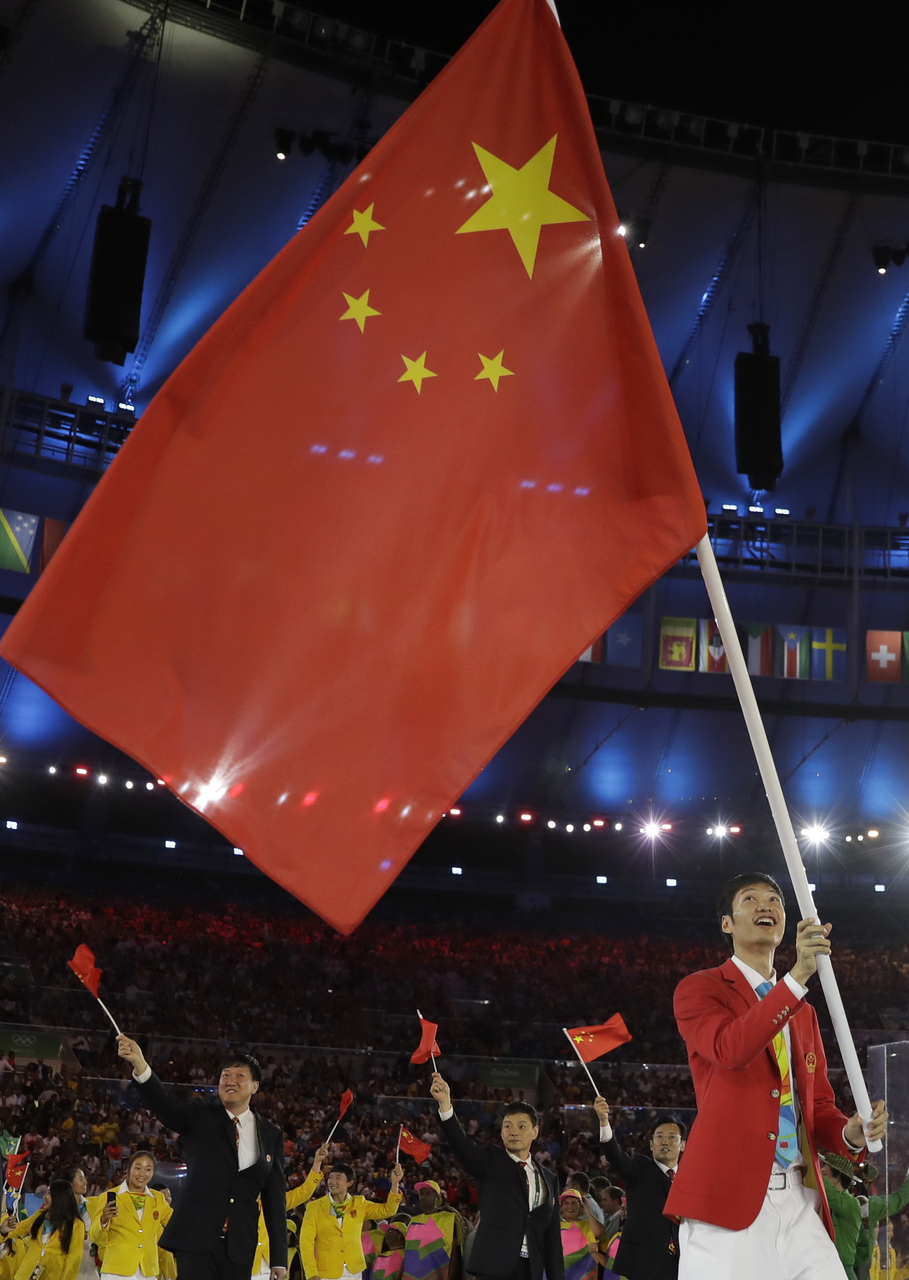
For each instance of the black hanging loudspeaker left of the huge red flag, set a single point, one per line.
(117, 276)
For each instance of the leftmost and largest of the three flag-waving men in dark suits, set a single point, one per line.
(234, 1158)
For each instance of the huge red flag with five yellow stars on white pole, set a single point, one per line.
(410, 476)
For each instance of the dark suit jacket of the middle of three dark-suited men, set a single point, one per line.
(505, 1214)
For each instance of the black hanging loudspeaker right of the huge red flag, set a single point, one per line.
(759, 445)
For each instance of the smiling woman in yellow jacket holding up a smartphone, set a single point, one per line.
(127, 1223)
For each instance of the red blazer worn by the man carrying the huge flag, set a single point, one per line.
(729, 1034)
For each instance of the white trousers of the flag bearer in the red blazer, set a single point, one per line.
(785, 1242)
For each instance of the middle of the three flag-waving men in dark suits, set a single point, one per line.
(519, 1236)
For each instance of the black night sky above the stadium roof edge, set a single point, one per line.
(837, 68)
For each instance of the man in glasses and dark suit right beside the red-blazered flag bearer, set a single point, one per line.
(650, 1245)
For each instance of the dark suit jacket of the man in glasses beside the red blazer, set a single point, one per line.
(650, 1245)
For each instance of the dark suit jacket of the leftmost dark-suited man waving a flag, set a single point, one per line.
(216, 1188)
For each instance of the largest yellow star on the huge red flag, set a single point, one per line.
(522, 202)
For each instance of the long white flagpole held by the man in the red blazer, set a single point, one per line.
(784, 824)
